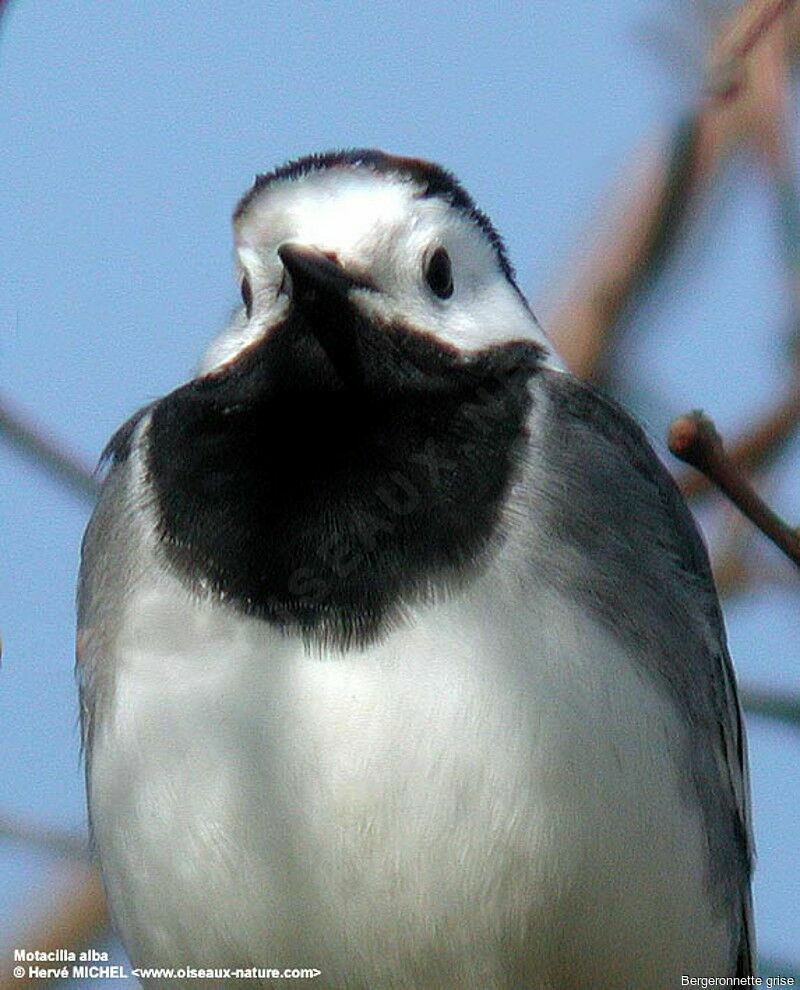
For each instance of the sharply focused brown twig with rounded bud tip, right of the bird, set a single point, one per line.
(694, 440)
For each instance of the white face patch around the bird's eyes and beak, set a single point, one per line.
(377, 224)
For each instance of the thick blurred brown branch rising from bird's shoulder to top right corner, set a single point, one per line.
(628, 255)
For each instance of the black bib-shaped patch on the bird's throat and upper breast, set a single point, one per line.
(327, 506)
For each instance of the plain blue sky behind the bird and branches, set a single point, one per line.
(129, 131)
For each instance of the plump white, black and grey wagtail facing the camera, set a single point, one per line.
(399, 654)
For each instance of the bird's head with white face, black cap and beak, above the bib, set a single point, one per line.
(343, 243)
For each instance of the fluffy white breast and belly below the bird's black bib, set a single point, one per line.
(488, 798)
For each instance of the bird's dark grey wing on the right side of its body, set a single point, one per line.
(625, 516)
